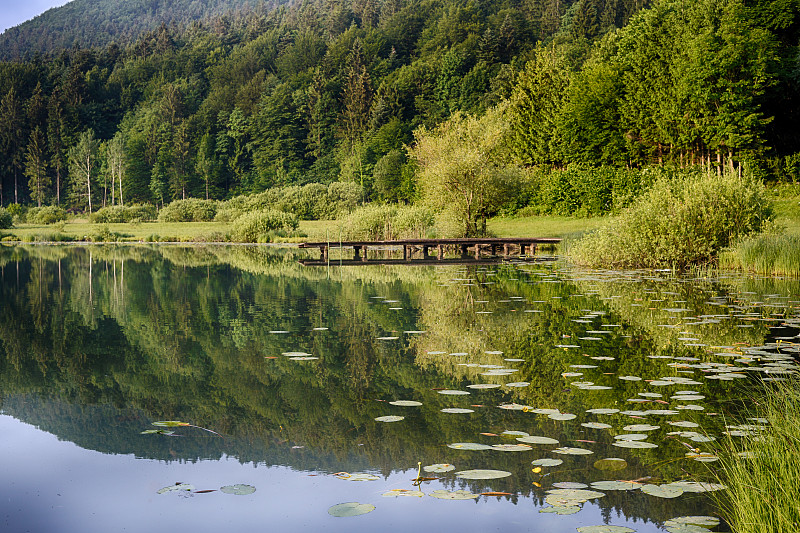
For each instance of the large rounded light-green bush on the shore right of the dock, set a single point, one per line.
(680, 222)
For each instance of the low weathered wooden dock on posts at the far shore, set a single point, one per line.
(475, 248)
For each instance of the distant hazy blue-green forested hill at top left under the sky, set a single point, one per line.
(87, 23)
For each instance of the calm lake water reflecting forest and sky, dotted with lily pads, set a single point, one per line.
(498, 370)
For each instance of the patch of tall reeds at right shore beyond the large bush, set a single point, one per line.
(766, 253)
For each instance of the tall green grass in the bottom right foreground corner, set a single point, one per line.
(763, 490)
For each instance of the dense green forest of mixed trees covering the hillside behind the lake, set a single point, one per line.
(379, 93)
